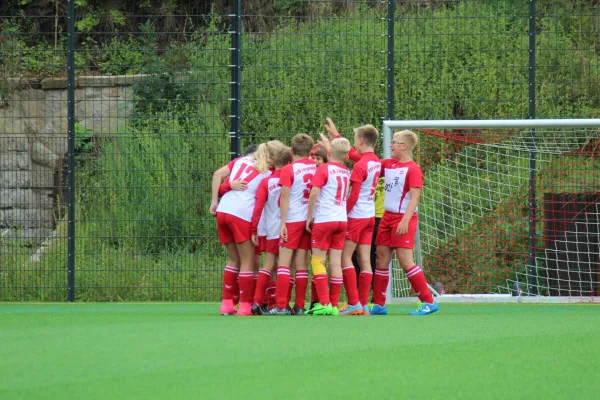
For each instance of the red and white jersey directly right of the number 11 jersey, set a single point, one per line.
(366, 172)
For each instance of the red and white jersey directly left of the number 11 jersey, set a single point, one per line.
(298, 176)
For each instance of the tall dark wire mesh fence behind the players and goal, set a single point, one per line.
(112, 120)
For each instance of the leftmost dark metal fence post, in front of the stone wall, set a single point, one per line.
(71, 149)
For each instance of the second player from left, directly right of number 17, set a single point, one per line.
(267, 209)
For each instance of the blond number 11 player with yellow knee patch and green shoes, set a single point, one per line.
(330, 187)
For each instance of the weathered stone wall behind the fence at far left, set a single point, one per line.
(33, 146)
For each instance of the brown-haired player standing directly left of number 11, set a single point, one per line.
(294, 240)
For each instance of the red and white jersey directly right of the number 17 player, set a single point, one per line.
(268, 194)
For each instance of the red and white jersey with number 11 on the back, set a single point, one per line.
(332, 179)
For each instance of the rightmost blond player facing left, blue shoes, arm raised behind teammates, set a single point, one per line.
(398, 226)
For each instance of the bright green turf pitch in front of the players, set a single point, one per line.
(185, 350)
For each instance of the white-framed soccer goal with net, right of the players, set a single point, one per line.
(510, 210)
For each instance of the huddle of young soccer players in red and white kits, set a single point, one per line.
(291, 202)
